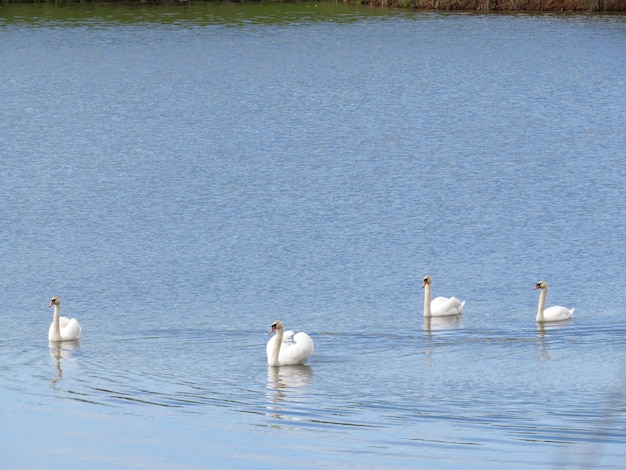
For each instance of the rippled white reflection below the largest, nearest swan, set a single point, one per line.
(287, 386)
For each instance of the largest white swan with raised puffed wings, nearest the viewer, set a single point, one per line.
(287, 348)
